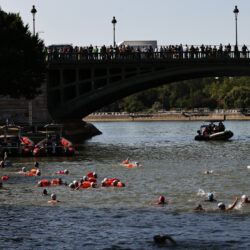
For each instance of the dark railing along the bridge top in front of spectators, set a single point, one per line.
(56, 57)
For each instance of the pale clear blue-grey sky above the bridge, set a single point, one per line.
(84, 22)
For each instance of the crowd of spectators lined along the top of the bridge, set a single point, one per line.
(68, 52)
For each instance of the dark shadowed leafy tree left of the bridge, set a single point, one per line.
(22, 61)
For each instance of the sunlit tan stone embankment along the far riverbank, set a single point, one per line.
(230, 115)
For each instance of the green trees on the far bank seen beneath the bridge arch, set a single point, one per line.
(227, 92)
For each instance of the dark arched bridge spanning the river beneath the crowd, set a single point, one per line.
(78, 85)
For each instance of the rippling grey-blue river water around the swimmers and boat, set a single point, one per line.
(122, 218)
